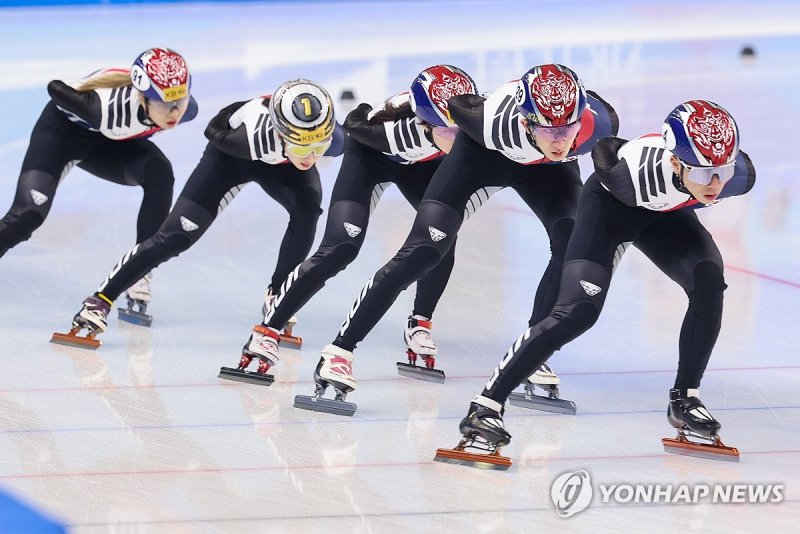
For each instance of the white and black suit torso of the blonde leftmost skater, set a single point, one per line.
(116, 113)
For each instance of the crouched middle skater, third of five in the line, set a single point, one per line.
(403, 142)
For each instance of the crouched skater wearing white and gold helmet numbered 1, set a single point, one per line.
(273, 141)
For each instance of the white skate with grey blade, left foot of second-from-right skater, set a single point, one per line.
(335, 368)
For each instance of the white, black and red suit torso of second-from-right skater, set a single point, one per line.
(494, 123)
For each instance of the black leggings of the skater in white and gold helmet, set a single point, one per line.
(212, 186)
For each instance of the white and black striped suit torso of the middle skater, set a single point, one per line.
(403, 140)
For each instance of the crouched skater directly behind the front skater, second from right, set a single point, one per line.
(527, 136)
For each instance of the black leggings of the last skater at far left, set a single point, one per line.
(56, 145)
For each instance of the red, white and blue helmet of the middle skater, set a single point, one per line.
(433, 87)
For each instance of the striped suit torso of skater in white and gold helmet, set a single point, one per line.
(245, 130)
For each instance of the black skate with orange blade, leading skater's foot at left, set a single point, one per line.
(483, 430)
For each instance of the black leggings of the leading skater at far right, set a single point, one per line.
(674, 241)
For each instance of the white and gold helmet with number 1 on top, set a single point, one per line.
(302, 112)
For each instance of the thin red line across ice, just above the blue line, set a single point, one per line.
(450, 378)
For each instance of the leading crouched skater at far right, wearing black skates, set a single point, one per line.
(643, 191)
